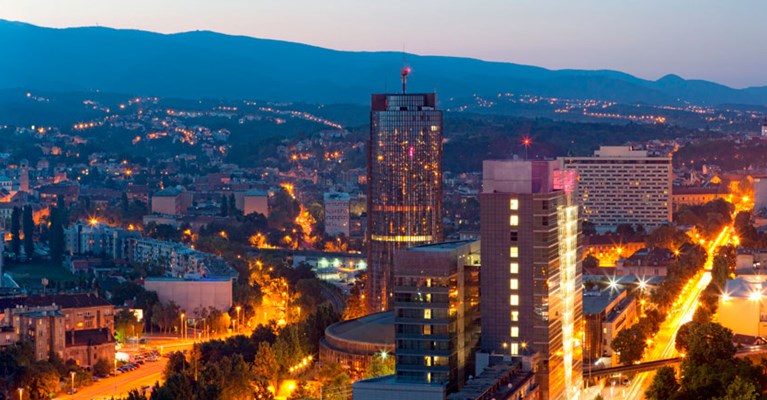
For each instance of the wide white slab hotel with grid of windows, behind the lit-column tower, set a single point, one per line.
(620, 185)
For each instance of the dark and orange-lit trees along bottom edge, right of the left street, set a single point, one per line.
(253, 367)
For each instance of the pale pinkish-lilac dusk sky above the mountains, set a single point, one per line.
(717, 40)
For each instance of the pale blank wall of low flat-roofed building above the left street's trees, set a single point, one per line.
(193, 295)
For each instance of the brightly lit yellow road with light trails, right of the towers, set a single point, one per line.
(682, 312)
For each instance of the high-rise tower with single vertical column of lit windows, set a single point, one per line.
(531, 270)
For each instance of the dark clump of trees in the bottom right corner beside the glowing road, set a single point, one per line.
(709, 370)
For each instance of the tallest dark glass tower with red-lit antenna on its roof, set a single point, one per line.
(404, 183)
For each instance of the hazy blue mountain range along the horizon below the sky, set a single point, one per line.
(203, 64)
